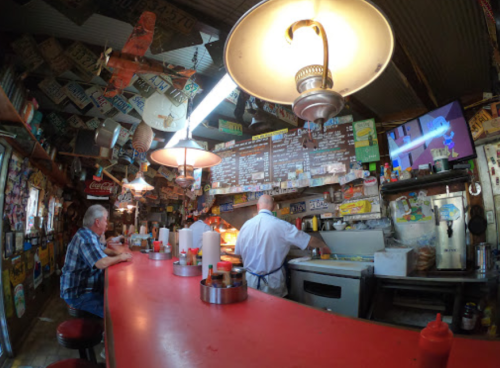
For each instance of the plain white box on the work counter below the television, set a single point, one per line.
(394, 262)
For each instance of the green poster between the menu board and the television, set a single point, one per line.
(365, 141)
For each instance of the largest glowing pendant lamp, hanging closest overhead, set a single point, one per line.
(309, 53)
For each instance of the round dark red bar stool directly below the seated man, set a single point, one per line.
(82, 334)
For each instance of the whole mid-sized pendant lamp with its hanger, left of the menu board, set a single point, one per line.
(186, 156)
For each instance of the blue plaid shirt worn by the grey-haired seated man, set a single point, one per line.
(79, 276)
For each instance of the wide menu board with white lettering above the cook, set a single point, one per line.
(300, 156)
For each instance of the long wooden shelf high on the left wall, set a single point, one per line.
(25, 142)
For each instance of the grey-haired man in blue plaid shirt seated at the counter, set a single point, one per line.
(82, 280)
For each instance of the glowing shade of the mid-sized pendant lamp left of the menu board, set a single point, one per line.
(185, 151)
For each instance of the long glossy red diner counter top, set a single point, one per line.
(156, 319)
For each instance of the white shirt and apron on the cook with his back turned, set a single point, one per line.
(263, 243)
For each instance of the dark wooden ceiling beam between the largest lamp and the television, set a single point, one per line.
(413, 76)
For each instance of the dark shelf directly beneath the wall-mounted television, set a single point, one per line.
(452, 176)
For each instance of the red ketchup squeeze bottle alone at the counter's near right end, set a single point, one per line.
(435, 344)
